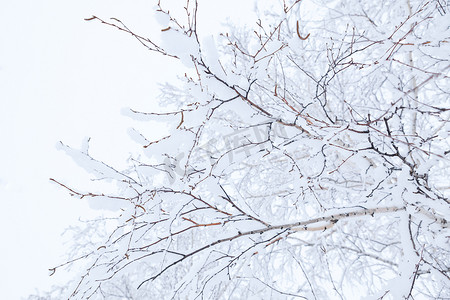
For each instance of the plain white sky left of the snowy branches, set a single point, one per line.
(62, 78)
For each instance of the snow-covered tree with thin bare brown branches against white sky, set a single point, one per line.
(307, 157)
